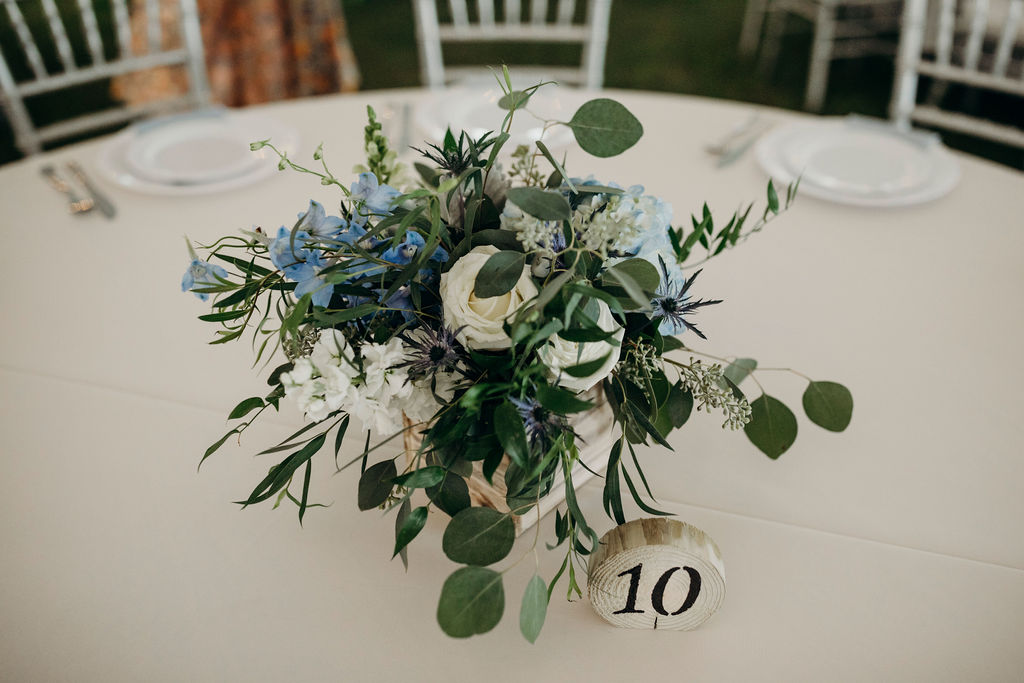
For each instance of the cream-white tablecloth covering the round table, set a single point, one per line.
(890, 552)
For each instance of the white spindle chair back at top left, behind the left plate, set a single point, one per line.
(45, 40)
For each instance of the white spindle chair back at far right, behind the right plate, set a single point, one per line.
(959, 44)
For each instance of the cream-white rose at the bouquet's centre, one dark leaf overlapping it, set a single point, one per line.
(481, 320)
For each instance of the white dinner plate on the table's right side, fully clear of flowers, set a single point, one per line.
(861, 162)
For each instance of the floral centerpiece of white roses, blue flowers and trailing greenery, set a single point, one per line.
(482, 310)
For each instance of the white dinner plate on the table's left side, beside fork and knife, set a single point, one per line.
(195, 154)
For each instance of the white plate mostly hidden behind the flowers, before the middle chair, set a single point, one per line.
(477, 112)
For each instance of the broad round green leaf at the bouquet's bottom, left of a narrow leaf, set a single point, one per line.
(473, 602)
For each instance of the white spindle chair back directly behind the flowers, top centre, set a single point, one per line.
(584, 23)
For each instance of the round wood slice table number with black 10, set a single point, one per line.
(657, 574)
